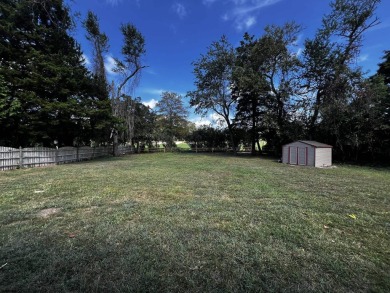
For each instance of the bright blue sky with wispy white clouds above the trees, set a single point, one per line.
(177, 32)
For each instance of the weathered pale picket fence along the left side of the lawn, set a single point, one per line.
(11, 158)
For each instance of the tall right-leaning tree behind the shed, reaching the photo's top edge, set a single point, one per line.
(329, 76)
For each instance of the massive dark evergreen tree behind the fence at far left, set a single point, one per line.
(37, 55)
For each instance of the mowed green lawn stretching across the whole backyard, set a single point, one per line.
(194, 223)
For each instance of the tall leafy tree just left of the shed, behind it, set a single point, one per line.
(279, 66)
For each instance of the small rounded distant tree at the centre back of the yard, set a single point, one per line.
(173, 116)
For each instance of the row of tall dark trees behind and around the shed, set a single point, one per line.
(266, 89)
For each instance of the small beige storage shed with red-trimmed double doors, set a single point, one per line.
(307, 153)
